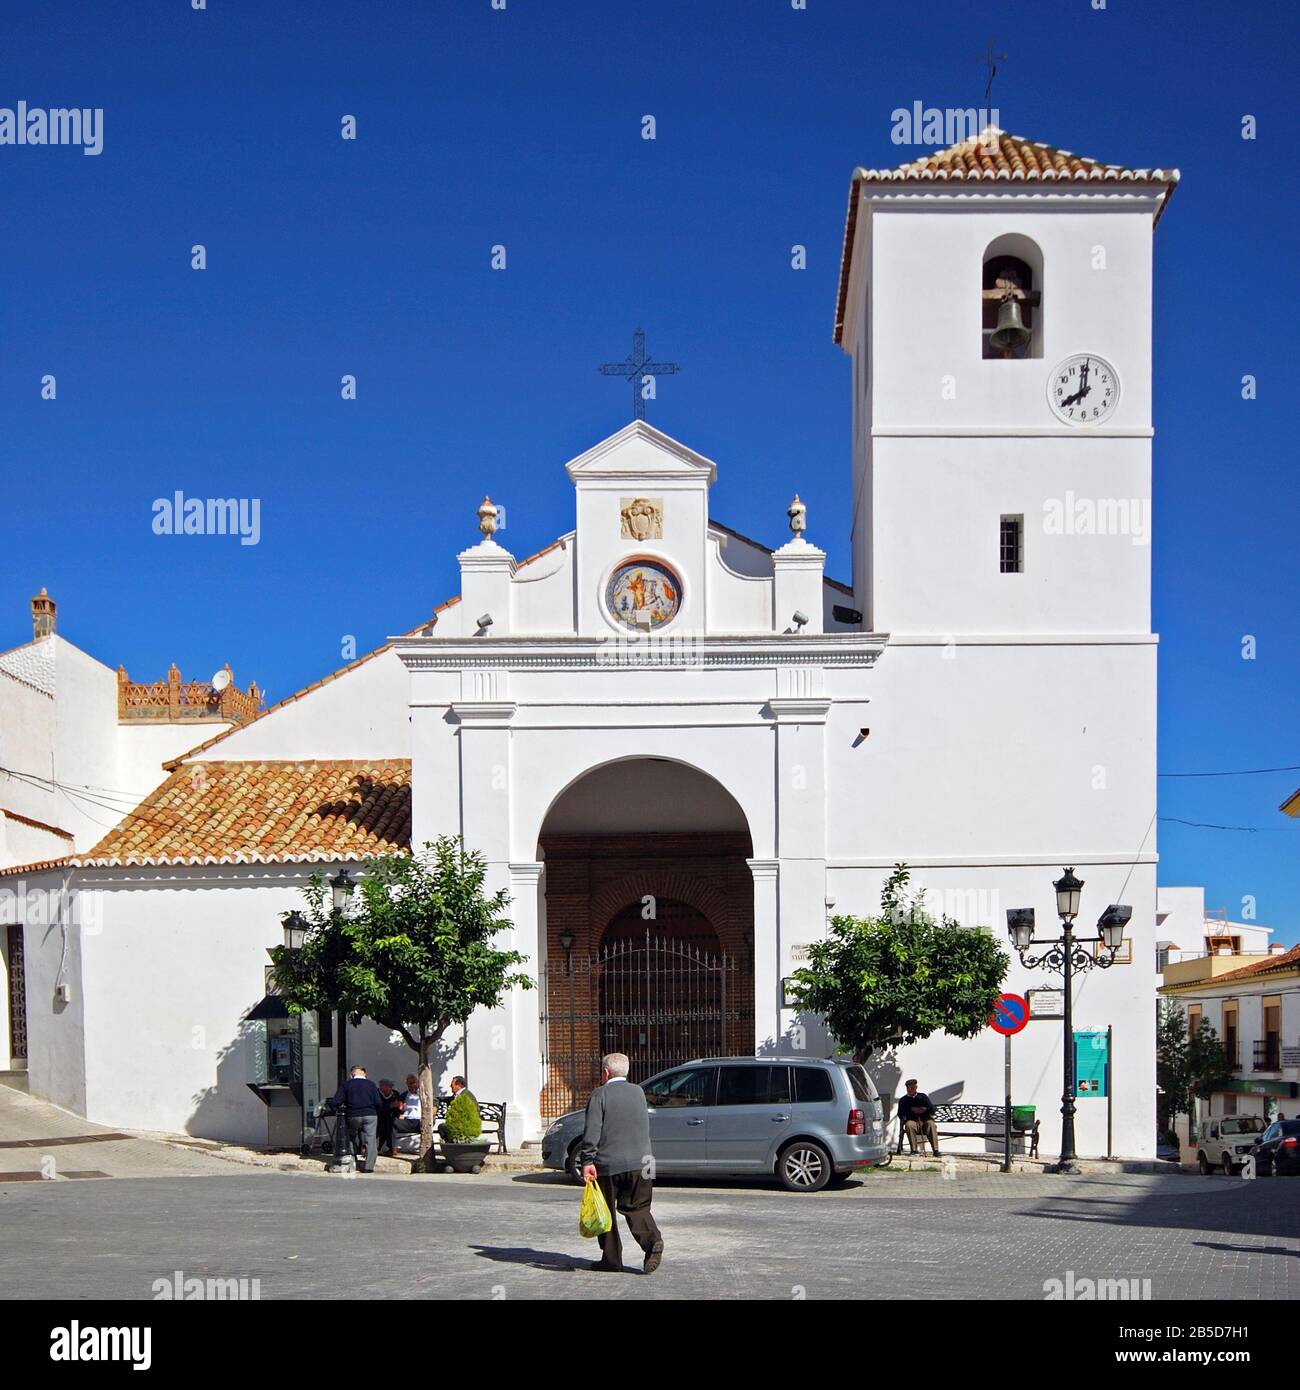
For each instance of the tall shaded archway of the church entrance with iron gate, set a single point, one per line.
(650, 926)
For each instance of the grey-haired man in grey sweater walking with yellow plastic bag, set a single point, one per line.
(617, 1156)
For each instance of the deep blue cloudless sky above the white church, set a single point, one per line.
(523, 127)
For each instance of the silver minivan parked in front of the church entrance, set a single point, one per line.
(803, 1121)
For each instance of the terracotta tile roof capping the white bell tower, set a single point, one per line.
(992, 156)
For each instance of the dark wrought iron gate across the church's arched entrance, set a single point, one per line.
(660, 1000)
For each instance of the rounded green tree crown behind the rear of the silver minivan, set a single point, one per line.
(900, 976)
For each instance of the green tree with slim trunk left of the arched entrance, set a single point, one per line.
(414, 954)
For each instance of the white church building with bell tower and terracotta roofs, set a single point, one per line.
(657, 708)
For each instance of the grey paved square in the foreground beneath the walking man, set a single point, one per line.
(920, 1238)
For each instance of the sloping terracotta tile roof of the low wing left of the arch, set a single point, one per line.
(266, 812)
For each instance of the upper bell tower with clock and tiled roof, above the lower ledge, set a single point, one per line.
(996, 301)
